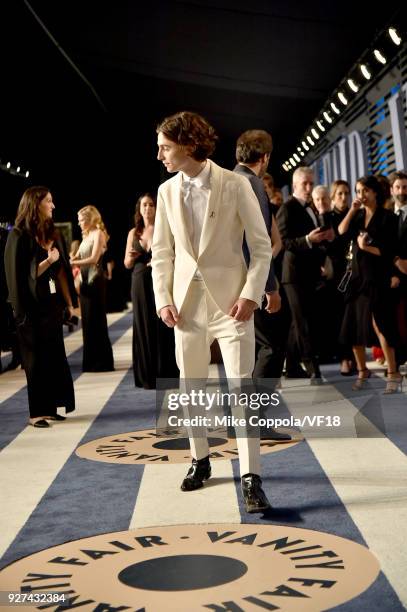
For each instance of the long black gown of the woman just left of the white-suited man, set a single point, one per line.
(153, 341)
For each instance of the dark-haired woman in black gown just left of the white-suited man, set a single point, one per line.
(153, 342)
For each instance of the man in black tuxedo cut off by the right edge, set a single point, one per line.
(398, 188)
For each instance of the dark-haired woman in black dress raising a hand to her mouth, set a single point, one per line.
(368, 310)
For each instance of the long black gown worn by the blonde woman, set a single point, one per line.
(97, 350)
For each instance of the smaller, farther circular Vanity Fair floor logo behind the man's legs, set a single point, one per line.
(146, 446)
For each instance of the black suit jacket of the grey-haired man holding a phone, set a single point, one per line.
(301, 264)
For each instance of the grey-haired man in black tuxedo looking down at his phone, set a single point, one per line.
(303, 258)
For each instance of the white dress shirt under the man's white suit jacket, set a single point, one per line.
(196, 192)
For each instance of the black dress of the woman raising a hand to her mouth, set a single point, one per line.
(369, 291)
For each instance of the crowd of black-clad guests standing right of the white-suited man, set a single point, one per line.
(343, 273)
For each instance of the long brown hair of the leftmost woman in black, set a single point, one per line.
(29, 218)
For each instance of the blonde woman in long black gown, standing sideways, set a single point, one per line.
(97, 350)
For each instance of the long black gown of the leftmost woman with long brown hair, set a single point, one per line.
(38, 314)
